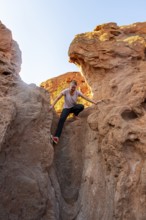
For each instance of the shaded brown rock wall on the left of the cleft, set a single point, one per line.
(25, 150)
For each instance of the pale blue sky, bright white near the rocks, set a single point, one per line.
(44, 29)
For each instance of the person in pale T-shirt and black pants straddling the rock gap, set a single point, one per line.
(70, 96)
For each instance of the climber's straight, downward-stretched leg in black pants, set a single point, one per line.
(63, 116)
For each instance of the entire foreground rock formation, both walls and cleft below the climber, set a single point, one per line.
(98, 169)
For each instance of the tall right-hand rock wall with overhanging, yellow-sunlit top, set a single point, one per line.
(113, 61)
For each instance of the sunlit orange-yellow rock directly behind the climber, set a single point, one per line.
(55, 85)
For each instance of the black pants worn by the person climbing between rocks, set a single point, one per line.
(65, 112)
